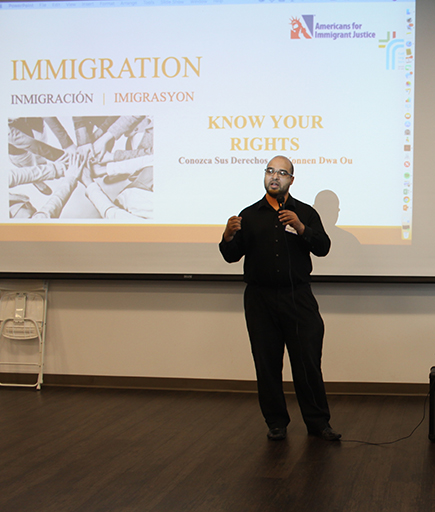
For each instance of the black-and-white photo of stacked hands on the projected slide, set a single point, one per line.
(97, 167)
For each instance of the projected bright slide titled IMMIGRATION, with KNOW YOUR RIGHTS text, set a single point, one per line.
(329, 90)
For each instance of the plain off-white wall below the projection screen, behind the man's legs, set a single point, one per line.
(374, 332)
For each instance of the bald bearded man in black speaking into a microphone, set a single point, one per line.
(276, 235)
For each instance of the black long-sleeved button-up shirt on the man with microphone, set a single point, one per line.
(273, 256)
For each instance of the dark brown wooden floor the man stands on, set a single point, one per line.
(88, 450)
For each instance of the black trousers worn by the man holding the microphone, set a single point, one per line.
(287, 317)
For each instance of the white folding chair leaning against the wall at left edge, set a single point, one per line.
(23, 313)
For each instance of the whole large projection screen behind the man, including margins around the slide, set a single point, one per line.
(133, 130)
